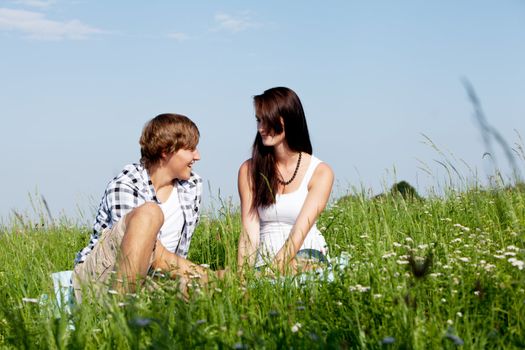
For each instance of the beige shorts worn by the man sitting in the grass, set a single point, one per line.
(98, 270)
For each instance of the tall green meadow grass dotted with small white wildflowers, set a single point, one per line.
(440, 272)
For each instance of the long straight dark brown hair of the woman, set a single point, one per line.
(270, 106)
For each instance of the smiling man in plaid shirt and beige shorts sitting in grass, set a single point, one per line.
(148, 212)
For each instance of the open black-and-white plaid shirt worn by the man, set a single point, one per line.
(132, 188)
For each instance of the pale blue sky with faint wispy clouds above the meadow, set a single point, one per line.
(80, 78)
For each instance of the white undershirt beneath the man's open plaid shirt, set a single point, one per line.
(171, 230)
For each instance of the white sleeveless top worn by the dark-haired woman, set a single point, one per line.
(277, 220)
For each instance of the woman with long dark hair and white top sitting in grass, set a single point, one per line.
(283, 188)
